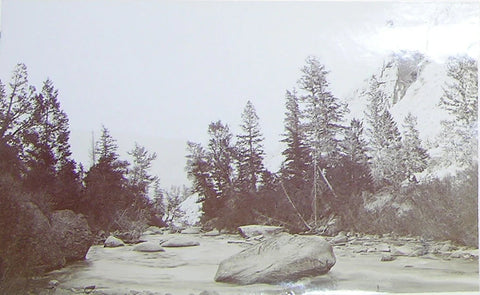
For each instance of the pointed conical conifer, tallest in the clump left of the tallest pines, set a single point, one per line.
(249, 151)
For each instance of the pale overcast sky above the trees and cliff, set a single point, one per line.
(159, 72)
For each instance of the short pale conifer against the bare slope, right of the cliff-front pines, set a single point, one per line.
(414, 155)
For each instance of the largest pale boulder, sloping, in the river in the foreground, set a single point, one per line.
(281, 258)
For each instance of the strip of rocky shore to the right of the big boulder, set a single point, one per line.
(393, 247)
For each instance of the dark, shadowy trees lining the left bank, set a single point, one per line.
(37, 165)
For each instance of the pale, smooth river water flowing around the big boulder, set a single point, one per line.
(191, 271)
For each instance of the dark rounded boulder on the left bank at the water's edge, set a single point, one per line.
(72, 233)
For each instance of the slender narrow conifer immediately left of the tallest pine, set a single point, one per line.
(295, 166)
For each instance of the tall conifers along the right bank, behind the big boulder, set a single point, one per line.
(330, 164)
